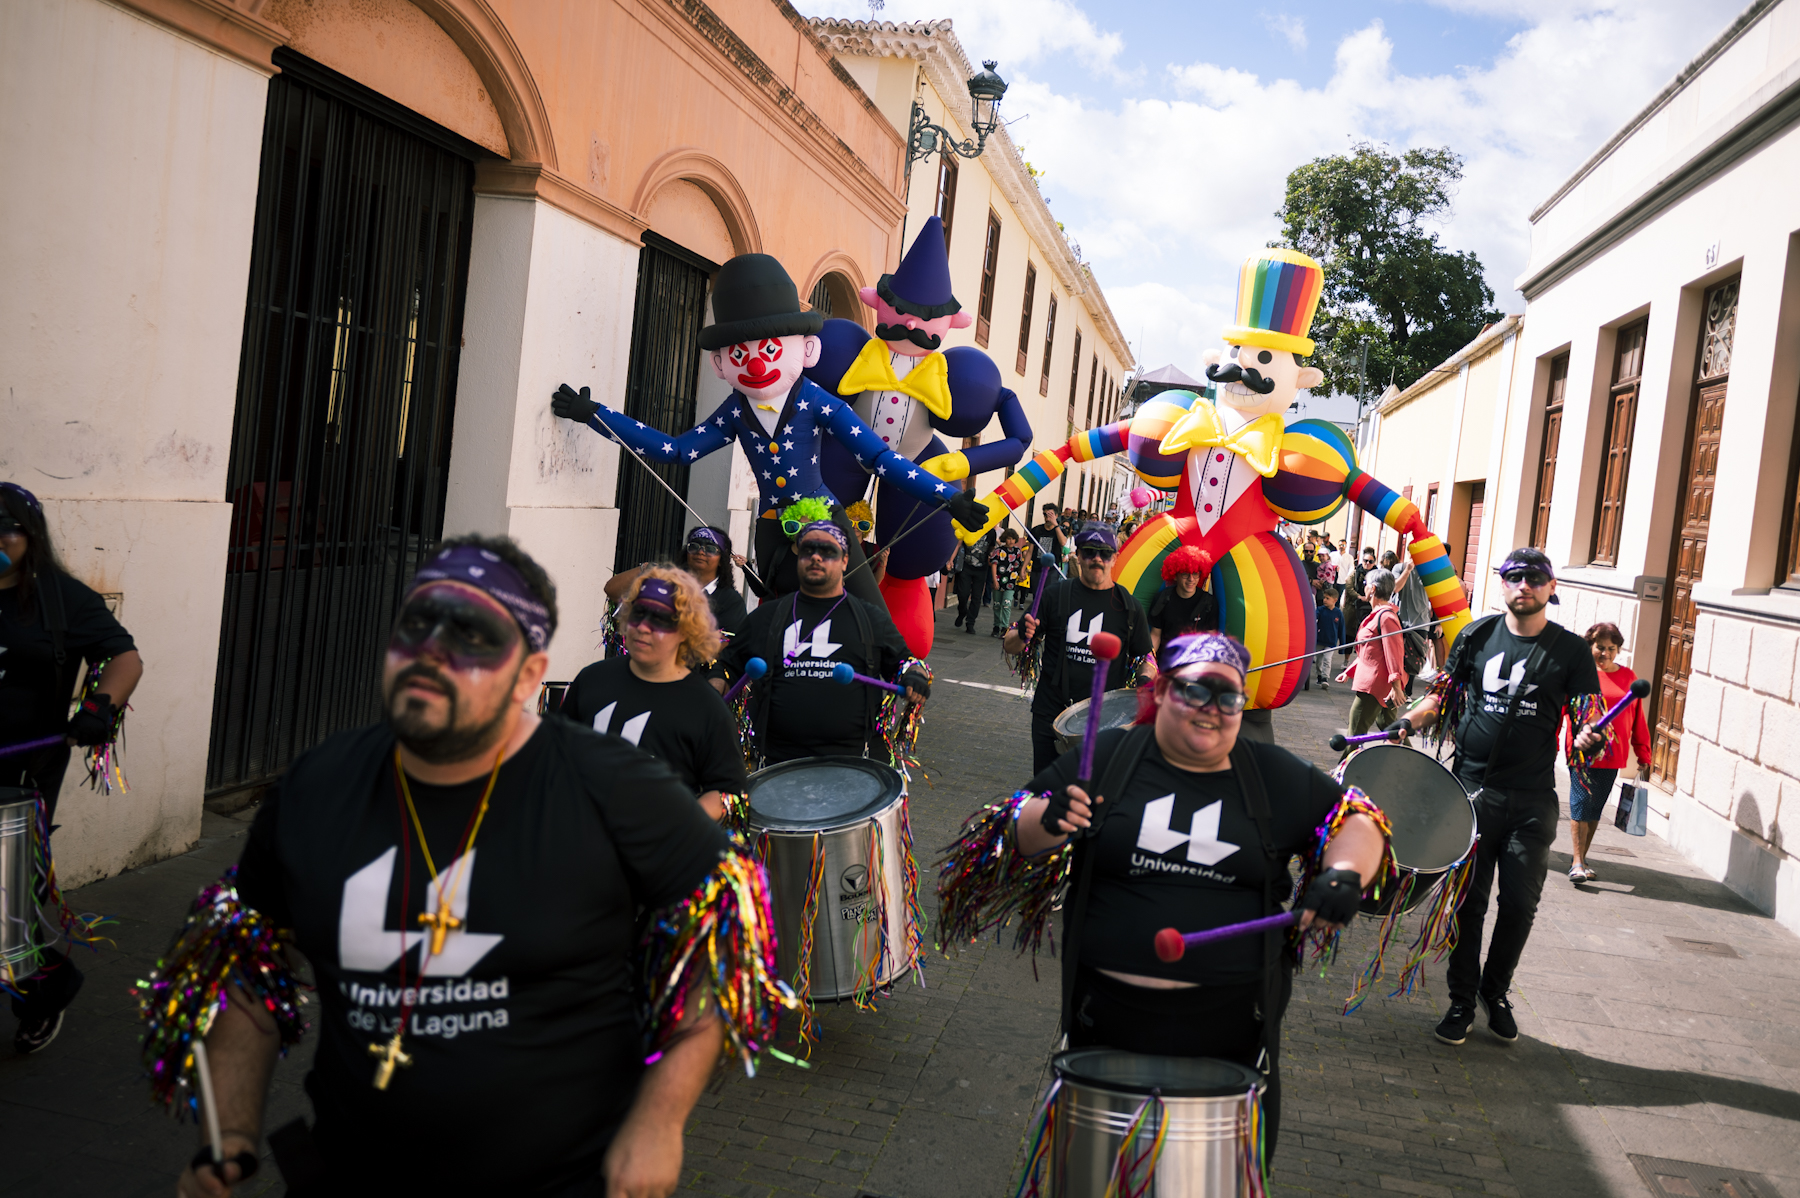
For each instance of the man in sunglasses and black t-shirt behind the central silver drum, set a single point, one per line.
(798, 710)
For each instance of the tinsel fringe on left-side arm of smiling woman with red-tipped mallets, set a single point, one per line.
(985, 882)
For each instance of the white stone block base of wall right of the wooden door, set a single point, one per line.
(1740, 771)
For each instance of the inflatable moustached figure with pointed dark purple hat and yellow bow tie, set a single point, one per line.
(913, 397)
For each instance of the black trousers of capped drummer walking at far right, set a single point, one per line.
(1516, 830)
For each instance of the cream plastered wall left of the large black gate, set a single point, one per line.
(125, 247)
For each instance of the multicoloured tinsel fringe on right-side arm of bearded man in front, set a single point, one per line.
(717, 949)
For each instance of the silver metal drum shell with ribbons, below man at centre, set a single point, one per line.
(787, 857)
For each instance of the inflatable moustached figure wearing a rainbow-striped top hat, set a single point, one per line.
(1237, 472)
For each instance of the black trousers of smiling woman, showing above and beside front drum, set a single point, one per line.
(1223, 1023)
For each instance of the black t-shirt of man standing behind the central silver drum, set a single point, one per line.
(800, 711)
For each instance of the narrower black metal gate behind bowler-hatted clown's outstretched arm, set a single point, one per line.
(661, 388)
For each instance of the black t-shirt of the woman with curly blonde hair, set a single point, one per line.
(683, 724)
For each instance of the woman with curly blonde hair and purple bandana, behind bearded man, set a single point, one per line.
(658, 697)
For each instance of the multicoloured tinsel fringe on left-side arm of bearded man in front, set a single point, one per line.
(222, 942)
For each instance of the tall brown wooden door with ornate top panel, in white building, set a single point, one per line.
(1700, 470)
